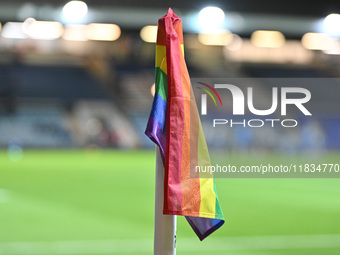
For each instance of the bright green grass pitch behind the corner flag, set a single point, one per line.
(74, 197)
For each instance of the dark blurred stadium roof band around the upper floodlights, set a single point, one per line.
(293, 18)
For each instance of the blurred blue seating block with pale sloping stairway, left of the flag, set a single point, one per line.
(60, 106)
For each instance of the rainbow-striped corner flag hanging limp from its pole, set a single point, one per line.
(174, 125)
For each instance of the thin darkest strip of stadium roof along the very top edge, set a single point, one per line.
(296, 7)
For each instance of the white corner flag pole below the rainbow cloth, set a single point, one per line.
(165, 225)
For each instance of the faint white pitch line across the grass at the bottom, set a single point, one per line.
(138, 246)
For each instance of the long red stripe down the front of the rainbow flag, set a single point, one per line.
(175, 113)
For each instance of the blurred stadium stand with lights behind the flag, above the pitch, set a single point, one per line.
(71, 93)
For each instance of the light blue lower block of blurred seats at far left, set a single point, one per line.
(39, 126)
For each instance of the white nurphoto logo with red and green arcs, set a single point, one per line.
(239, 99)
